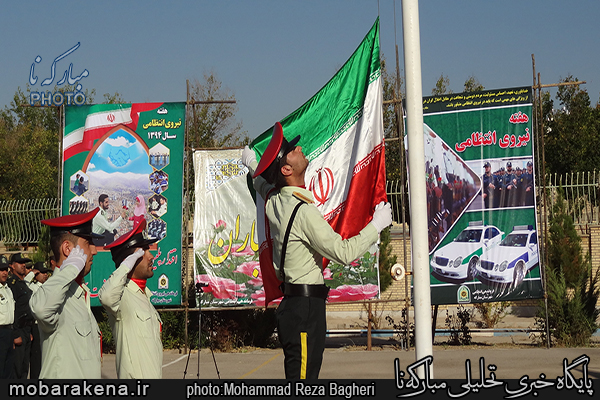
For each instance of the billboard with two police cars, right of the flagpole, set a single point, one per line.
(480, 196)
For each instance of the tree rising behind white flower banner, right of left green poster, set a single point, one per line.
(213, 125)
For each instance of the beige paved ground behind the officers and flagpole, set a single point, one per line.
(350, 363)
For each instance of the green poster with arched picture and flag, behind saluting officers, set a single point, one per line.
(127, 159)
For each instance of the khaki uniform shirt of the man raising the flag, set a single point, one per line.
(311, 237)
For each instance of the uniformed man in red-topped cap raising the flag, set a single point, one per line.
(301, 323)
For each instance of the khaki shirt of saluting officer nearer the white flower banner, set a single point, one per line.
(136, 327)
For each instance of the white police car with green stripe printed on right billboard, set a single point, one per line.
(457, 261)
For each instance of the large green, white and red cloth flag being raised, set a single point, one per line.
(341, 129)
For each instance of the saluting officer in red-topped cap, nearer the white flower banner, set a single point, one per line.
(135, 322)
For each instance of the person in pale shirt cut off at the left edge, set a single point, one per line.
(7, 317)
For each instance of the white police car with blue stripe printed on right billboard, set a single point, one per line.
(512, 259)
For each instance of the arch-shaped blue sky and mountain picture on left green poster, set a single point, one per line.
(118, 170)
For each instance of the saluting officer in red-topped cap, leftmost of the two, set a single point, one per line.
(68, 329)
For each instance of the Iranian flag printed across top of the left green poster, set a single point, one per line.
(90, 122)
